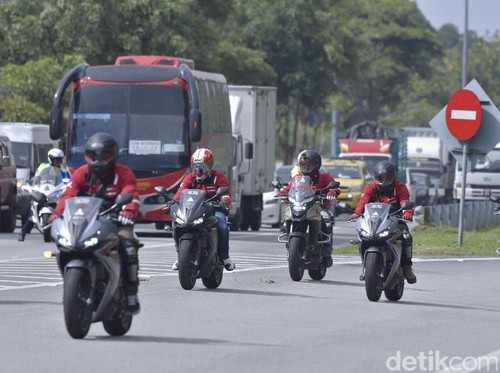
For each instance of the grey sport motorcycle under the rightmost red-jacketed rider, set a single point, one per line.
(381, 249)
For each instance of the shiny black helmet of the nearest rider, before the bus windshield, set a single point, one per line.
(101, 152)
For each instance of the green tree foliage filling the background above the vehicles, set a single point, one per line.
(366, 60)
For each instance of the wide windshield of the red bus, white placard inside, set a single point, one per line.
(149, 122)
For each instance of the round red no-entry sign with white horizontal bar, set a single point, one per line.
(463, 115)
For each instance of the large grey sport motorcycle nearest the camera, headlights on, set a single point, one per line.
(89, 261)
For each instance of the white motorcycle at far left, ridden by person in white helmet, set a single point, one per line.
(50, 185)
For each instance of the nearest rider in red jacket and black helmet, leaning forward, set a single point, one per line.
(102, 177)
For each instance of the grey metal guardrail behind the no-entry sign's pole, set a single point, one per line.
(477, 214)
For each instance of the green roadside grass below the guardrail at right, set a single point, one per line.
(443, 241)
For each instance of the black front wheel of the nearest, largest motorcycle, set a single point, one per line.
(76, 302)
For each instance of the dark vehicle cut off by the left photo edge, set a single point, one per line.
(8, 186)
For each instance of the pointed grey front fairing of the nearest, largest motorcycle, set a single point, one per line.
(79, 214)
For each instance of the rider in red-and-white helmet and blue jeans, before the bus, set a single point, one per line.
(202, 176)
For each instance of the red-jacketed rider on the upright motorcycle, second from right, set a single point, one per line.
(309, 164)
